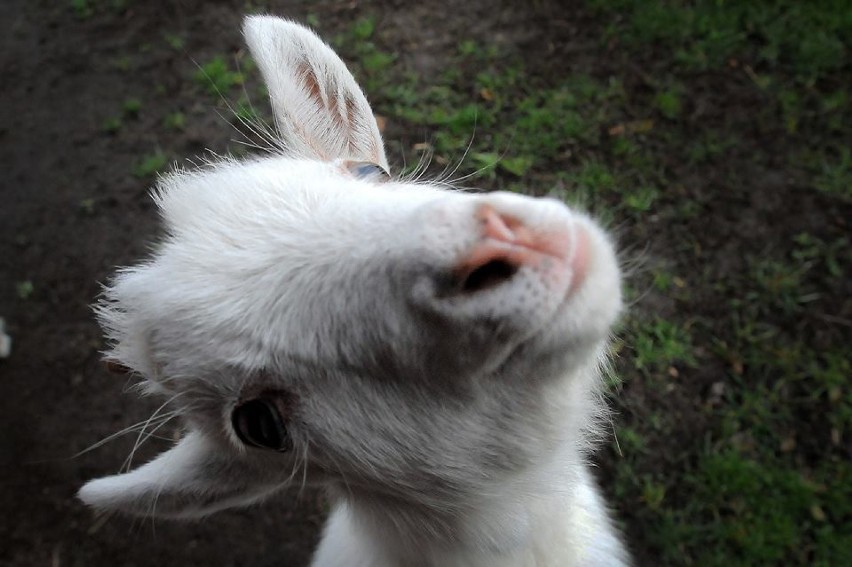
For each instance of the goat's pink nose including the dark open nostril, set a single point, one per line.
(506, 244)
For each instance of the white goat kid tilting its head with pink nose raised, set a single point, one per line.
(431, 357)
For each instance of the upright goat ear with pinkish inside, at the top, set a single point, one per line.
(319, 109)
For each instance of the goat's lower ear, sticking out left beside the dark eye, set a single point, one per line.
(193, 479)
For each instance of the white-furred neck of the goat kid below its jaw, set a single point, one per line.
(552, 516)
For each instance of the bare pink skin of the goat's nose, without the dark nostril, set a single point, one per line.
(507, 239)
